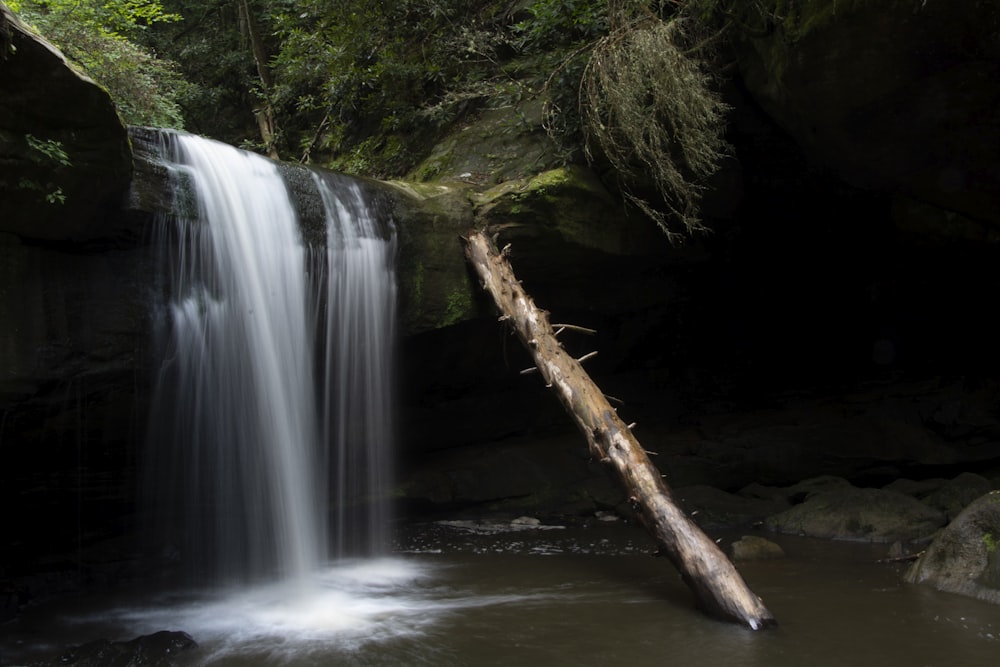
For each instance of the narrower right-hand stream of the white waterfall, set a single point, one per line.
(361, 290)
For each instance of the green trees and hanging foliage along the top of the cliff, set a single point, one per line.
(370, 88)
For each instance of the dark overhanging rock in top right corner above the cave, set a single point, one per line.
(901, 98)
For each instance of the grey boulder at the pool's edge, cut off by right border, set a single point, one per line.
(965, 557)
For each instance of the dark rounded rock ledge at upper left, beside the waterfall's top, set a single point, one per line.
(65, 161)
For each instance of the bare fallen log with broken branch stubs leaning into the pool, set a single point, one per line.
(718, 587)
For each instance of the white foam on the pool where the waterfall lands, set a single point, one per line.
(339, 610)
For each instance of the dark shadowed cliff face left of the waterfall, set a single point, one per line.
(72, 320)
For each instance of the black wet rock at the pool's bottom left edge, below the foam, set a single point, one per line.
(160, 649)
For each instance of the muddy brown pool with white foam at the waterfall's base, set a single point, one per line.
(463, 595)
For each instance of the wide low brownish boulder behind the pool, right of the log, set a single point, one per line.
(870, 515)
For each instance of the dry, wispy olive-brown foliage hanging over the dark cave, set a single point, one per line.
(648, 106)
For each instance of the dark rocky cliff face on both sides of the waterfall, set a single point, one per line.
(838, 319)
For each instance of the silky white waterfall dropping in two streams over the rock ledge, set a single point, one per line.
(271, 424)
